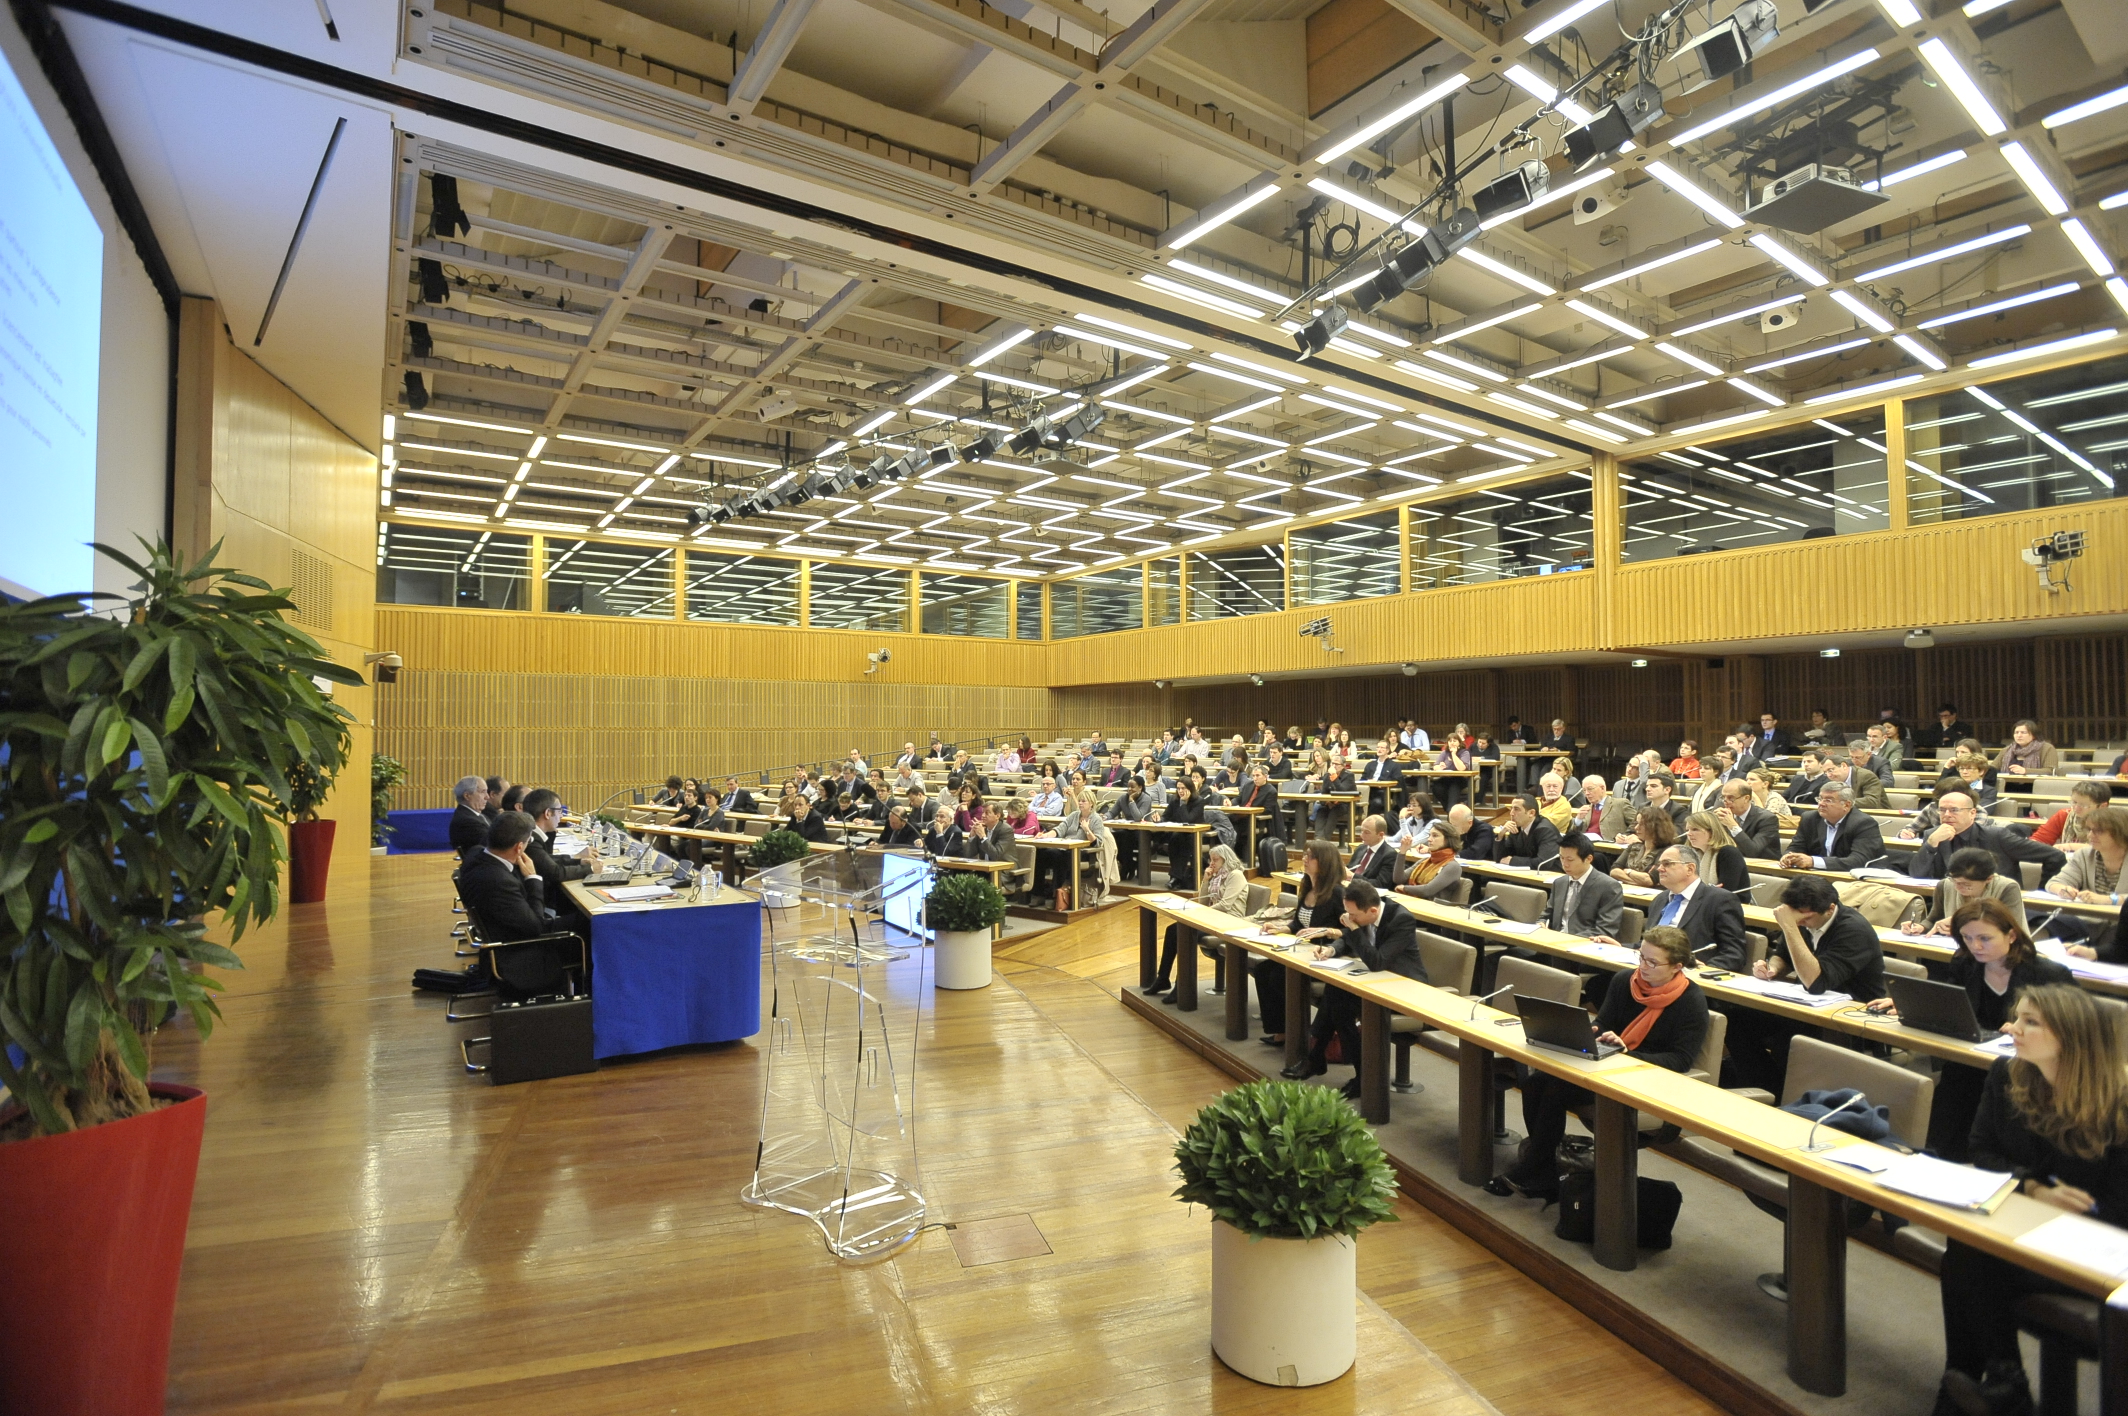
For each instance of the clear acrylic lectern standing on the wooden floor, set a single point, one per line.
(839, 1140)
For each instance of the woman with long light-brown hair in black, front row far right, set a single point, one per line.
(2057, 1119)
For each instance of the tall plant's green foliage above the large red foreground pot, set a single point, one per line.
(150, 755)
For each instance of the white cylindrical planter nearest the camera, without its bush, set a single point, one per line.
(1282, 1311)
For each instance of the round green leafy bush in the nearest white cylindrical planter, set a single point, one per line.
(1286, 1162)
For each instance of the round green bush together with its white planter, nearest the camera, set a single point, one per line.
(1291, 1174)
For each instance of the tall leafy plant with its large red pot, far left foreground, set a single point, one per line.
(148, 757)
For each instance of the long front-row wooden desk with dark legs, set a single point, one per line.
(1625, 1089)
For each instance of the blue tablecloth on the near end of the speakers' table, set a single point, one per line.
(676, 976)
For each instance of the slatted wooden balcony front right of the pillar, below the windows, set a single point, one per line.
(1931, 576)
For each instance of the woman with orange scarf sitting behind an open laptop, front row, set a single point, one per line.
(1655, 1012)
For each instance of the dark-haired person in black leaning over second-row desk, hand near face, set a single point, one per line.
(1825, 946)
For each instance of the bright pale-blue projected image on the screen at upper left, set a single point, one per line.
(52, 297)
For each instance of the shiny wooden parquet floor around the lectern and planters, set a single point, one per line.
(380, 1232)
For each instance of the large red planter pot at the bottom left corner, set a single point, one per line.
(97, 1234)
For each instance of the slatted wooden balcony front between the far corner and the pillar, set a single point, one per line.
(1518, 616)
